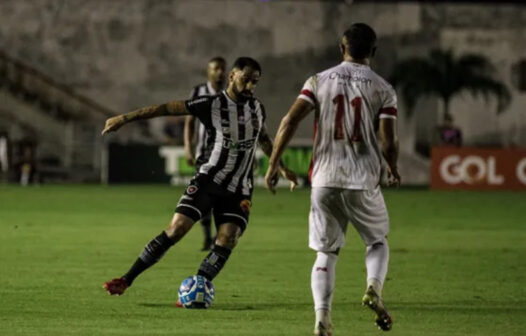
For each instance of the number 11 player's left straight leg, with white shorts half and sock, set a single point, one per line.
(327, 226)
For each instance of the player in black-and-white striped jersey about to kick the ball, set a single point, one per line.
(235, 123)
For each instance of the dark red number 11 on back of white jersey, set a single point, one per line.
(356, 105)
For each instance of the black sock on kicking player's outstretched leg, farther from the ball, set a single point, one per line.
(149, 256)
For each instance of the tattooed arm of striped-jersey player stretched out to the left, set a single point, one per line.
(176, 107)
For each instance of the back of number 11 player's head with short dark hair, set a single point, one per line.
(361, 39)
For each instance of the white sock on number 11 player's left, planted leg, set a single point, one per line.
(322, 280)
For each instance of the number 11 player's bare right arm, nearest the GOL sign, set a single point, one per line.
(389, 143)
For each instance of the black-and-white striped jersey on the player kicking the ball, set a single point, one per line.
(233, 129)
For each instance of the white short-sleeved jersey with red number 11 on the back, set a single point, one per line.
(350, 99)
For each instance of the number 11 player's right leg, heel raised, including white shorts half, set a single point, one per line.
(369, 216)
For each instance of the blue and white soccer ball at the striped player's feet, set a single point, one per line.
(196, 292)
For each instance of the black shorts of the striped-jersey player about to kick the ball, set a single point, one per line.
(203, 195)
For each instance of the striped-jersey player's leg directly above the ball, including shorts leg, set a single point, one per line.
(231, 216)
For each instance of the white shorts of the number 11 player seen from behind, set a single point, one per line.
(333, 208)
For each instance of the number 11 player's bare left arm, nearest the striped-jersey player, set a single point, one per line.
(298, 111)
